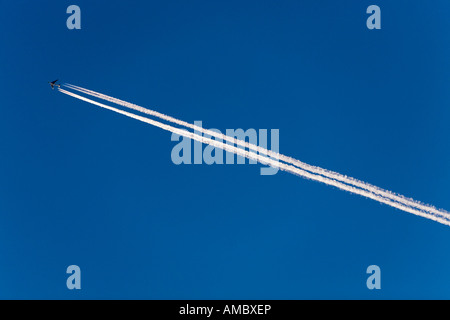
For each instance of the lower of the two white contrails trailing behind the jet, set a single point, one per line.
(441, 218)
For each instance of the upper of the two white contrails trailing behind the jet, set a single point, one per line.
(316, 170)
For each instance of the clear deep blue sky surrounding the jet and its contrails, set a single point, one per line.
(85, 186)
